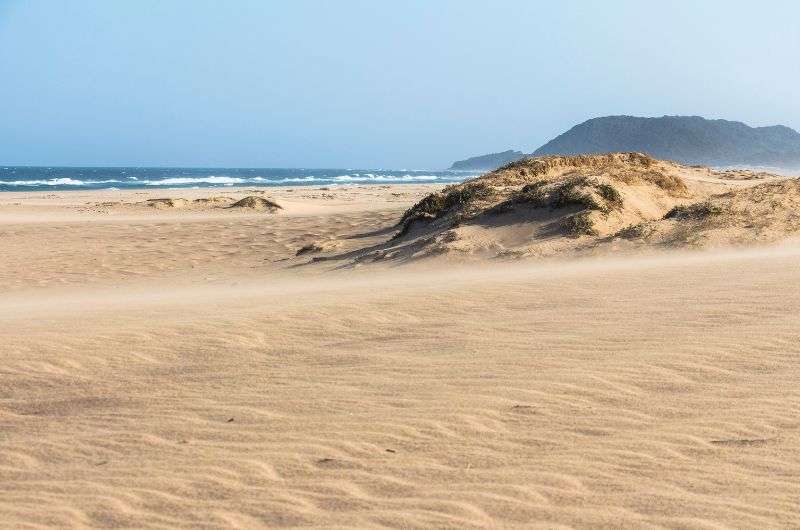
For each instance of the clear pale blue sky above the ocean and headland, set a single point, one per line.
(372, 83)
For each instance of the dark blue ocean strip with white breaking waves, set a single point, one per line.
(19, 178)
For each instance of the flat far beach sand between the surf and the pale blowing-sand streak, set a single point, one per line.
(97, 237)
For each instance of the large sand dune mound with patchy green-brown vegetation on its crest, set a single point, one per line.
(553, 205)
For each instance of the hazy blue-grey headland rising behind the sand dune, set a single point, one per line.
(686, 139)
